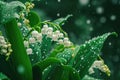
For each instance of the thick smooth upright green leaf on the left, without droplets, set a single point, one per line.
(19, 60)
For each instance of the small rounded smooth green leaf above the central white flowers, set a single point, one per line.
(34, 19)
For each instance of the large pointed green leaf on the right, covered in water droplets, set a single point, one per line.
(88, 53)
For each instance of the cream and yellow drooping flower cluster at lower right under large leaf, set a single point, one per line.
(99, 64)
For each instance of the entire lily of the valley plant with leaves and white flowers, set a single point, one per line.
(31, 49)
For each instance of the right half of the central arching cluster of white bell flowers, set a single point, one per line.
(55, 35)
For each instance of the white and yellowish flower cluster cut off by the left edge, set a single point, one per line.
(5, 47)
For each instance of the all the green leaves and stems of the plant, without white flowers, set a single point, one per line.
(50, 60)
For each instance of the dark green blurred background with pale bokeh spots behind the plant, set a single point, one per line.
(90, 18)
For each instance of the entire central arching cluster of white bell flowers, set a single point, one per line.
(49, 32)
